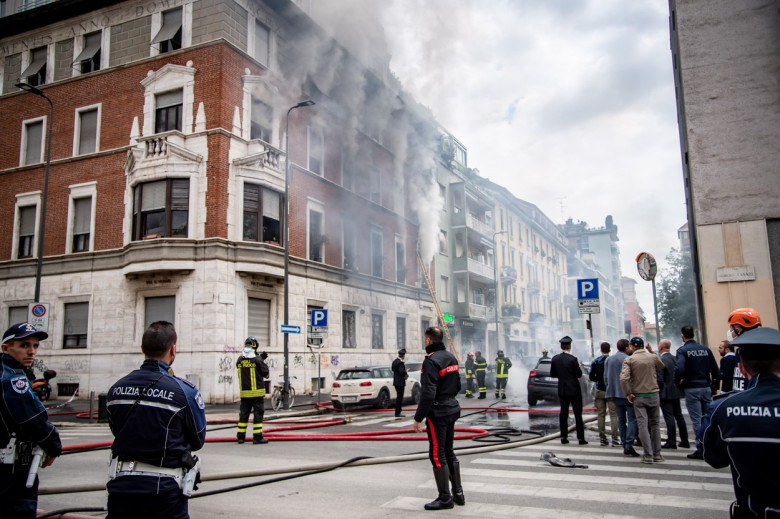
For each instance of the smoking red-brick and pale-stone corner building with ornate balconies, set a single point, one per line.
(166, 188)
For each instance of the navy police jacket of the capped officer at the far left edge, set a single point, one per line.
(22, 413)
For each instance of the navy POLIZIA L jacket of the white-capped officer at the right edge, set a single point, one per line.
(743, 432)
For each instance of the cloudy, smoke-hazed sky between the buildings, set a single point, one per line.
(567, 103)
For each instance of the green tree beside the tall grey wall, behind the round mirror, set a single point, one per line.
(676, 294)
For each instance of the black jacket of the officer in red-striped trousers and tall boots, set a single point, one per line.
(440, 382)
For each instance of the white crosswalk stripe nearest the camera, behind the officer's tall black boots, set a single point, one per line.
(476, 509)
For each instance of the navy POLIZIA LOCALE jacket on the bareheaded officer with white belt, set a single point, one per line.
(168, 422)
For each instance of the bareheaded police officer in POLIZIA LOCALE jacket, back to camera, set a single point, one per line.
(157, 420)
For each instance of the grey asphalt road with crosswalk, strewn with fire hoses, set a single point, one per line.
(511, 482)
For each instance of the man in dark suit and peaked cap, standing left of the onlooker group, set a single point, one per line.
(566, 368)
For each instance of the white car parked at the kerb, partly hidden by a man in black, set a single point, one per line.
(368, 386)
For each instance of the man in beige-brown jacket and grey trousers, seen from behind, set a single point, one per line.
(640, 384)
